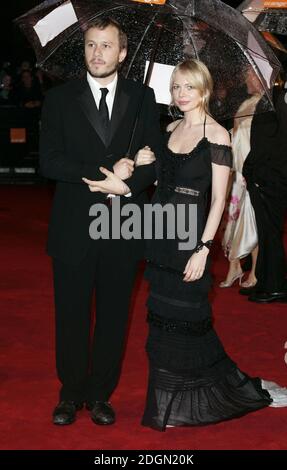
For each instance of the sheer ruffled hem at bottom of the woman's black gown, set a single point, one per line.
(178, 400)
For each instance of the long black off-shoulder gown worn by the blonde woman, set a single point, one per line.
(192, 381)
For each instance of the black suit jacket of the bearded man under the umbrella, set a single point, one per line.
(72, 147)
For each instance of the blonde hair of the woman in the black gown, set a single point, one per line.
(199, 77)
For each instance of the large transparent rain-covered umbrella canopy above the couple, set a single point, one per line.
(208, 30)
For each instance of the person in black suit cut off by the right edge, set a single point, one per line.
(265, 171)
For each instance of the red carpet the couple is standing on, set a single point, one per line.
(253, 335)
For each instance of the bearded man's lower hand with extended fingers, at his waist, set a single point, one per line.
(111, 185)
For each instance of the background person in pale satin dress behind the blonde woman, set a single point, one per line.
(240, 236)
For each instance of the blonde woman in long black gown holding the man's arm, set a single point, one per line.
(192, 381)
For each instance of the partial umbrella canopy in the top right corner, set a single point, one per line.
(266, 15)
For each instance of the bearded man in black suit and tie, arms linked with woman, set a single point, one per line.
(87, 124)
